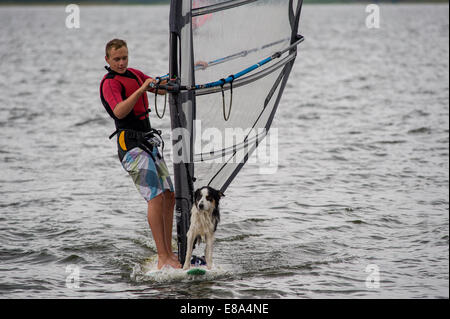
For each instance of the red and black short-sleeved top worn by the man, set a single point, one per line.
(137, 119)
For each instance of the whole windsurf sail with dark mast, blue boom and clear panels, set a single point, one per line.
(250, 47)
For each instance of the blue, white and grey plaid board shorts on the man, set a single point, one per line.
(151, 176)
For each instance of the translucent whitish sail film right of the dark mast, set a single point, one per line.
(230, 41)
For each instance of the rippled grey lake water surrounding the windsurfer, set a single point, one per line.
(358, 208)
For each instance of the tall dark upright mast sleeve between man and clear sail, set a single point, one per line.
(182, 111)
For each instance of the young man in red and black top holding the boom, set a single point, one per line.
(123, 92)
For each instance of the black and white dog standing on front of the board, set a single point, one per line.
(205, 216)
